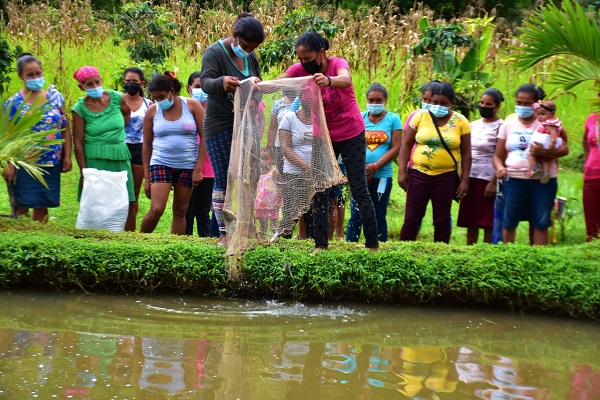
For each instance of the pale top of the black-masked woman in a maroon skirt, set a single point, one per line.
(483, 144)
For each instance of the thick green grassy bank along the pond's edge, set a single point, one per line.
(561, 280)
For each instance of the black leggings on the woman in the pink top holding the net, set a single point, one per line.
(353, 153)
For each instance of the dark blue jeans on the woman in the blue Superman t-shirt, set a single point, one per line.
(380, 202)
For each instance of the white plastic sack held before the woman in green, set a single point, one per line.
(104, 200)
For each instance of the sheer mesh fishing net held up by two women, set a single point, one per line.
(281, 155)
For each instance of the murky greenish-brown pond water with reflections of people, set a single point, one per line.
(82, 346)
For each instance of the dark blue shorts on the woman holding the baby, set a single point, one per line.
(528, 199)
